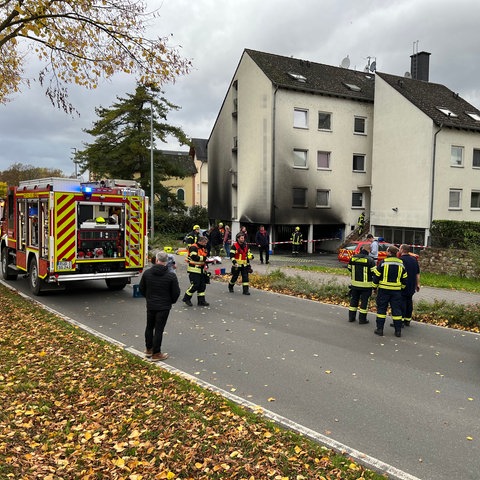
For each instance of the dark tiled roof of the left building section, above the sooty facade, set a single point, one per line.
(304, 75)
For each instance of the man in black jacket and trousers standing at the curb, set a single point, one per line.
(160, 288)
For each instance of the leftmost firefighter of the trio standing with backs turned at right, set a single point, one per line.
(361, 268)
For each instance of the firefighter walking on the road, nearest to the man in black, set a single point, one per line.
(197, 272)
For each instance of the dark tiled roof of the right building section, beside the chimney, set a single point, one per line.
(436, 101)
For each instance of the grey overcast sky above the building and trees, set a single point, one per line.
(214, 33)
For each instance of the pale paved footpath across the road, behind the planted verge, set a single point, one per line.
(286, 264)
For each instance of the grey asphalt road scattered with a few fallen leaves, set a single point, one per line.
(413, 402)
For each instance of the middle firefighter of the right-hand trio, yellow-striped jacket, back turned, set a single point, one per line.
(391, 278)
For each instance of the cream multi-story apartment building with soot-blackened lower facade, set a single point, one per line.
(298, 143)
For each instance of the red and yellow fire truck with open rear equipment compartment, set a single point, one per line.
(57, 230)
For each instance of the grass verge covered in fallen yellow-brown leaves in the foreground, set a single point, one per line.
(74, 407)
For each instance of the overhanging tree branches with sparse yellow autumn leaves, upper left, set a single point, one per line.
(81, 42)
